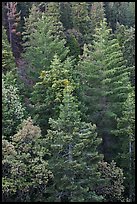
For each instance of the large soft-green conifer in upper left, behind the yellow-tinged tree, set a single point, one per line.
(42, 45)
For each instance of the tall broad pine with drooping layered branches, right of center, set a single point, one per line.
(104, 80)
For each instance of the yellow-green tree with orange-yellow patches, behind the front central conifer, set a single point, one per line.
(47, 94)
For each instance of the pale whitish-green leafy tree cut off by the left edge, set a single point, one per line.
(12, 109)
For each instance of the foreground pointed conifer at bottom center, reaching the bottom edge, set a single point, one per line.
(73, 159)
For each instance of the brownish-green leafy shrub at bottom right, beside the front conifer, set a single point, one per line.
(112, 189)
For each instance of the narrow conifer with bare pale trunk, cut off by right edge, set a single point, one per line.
(126, 134)
